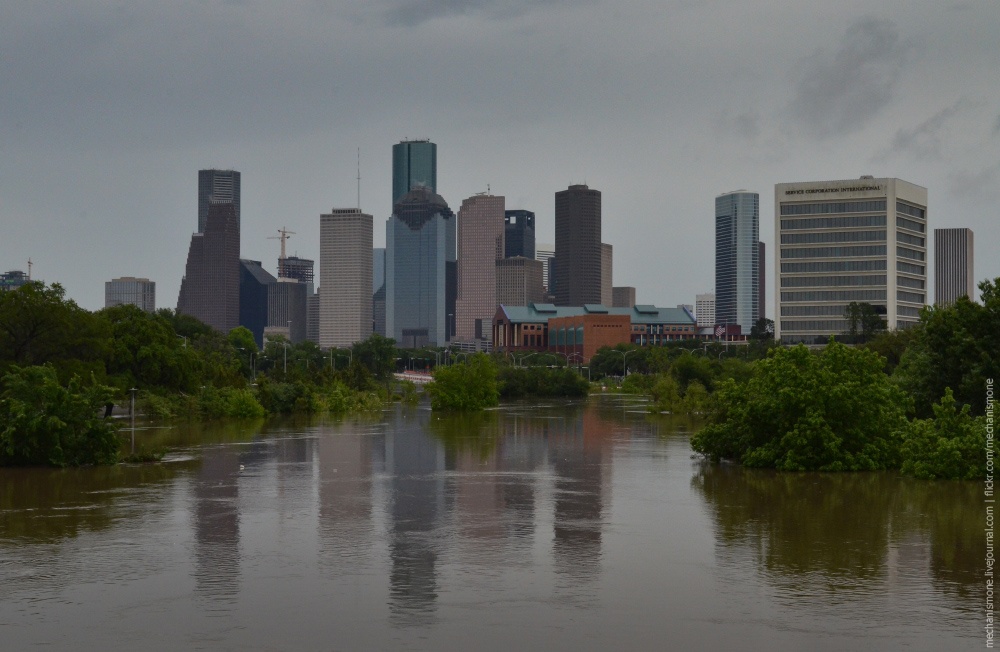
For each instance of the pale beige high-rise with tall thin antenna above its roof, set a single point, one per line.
(345, 237)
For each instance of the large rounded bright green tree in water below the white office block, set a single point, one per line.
(832, 411)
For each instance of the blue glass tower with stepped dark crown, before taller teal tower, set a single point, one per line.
(420, 264)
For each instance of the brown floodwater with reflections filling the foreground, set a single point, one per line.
(567, 526)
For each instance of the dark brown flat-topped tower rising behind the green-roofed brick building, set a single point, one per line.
(577, 277)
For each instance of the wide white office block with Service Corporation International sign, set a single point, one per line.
(859, 240)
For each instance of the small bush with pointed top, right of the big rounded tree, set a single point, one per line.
(951, 445)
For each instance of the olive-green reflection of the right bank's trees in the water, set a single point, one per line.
(845, 533)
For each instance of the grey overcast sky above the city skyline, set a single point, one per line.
(108, 109)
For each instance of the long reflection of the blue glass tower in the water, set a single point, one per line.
(415, 462)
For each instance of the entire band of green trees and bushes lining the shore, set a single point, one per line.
(912, 400)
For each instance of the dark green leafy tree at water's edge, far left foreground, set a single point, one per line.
(45, 423)
